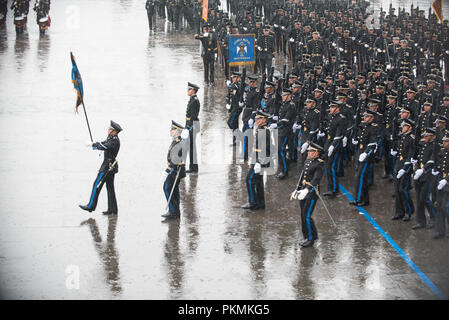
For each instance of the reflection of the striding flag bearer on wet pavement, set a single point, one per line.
(106, 251)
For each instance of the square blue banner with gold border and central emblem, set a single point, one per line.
(241, 49)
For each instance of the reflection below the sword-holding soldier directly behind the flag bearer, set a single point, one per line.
(174, 259)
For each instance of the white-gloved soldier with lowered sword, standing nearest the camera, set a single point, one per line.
(307, 192)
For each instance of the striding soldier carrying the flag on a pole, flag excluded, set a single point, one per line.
(107, 171)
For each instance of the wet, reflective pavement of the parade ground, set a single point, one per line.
(50, 249)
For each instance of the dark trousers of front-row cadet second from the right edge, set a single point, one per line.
(423, 187)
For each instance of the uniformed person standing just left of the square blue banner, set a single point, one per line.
(209, 49)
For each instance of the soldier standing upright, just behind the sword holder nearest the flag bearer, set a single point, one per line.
(193, 125)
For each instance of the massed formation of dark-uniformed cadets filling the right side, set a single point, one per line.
(355, 90)
